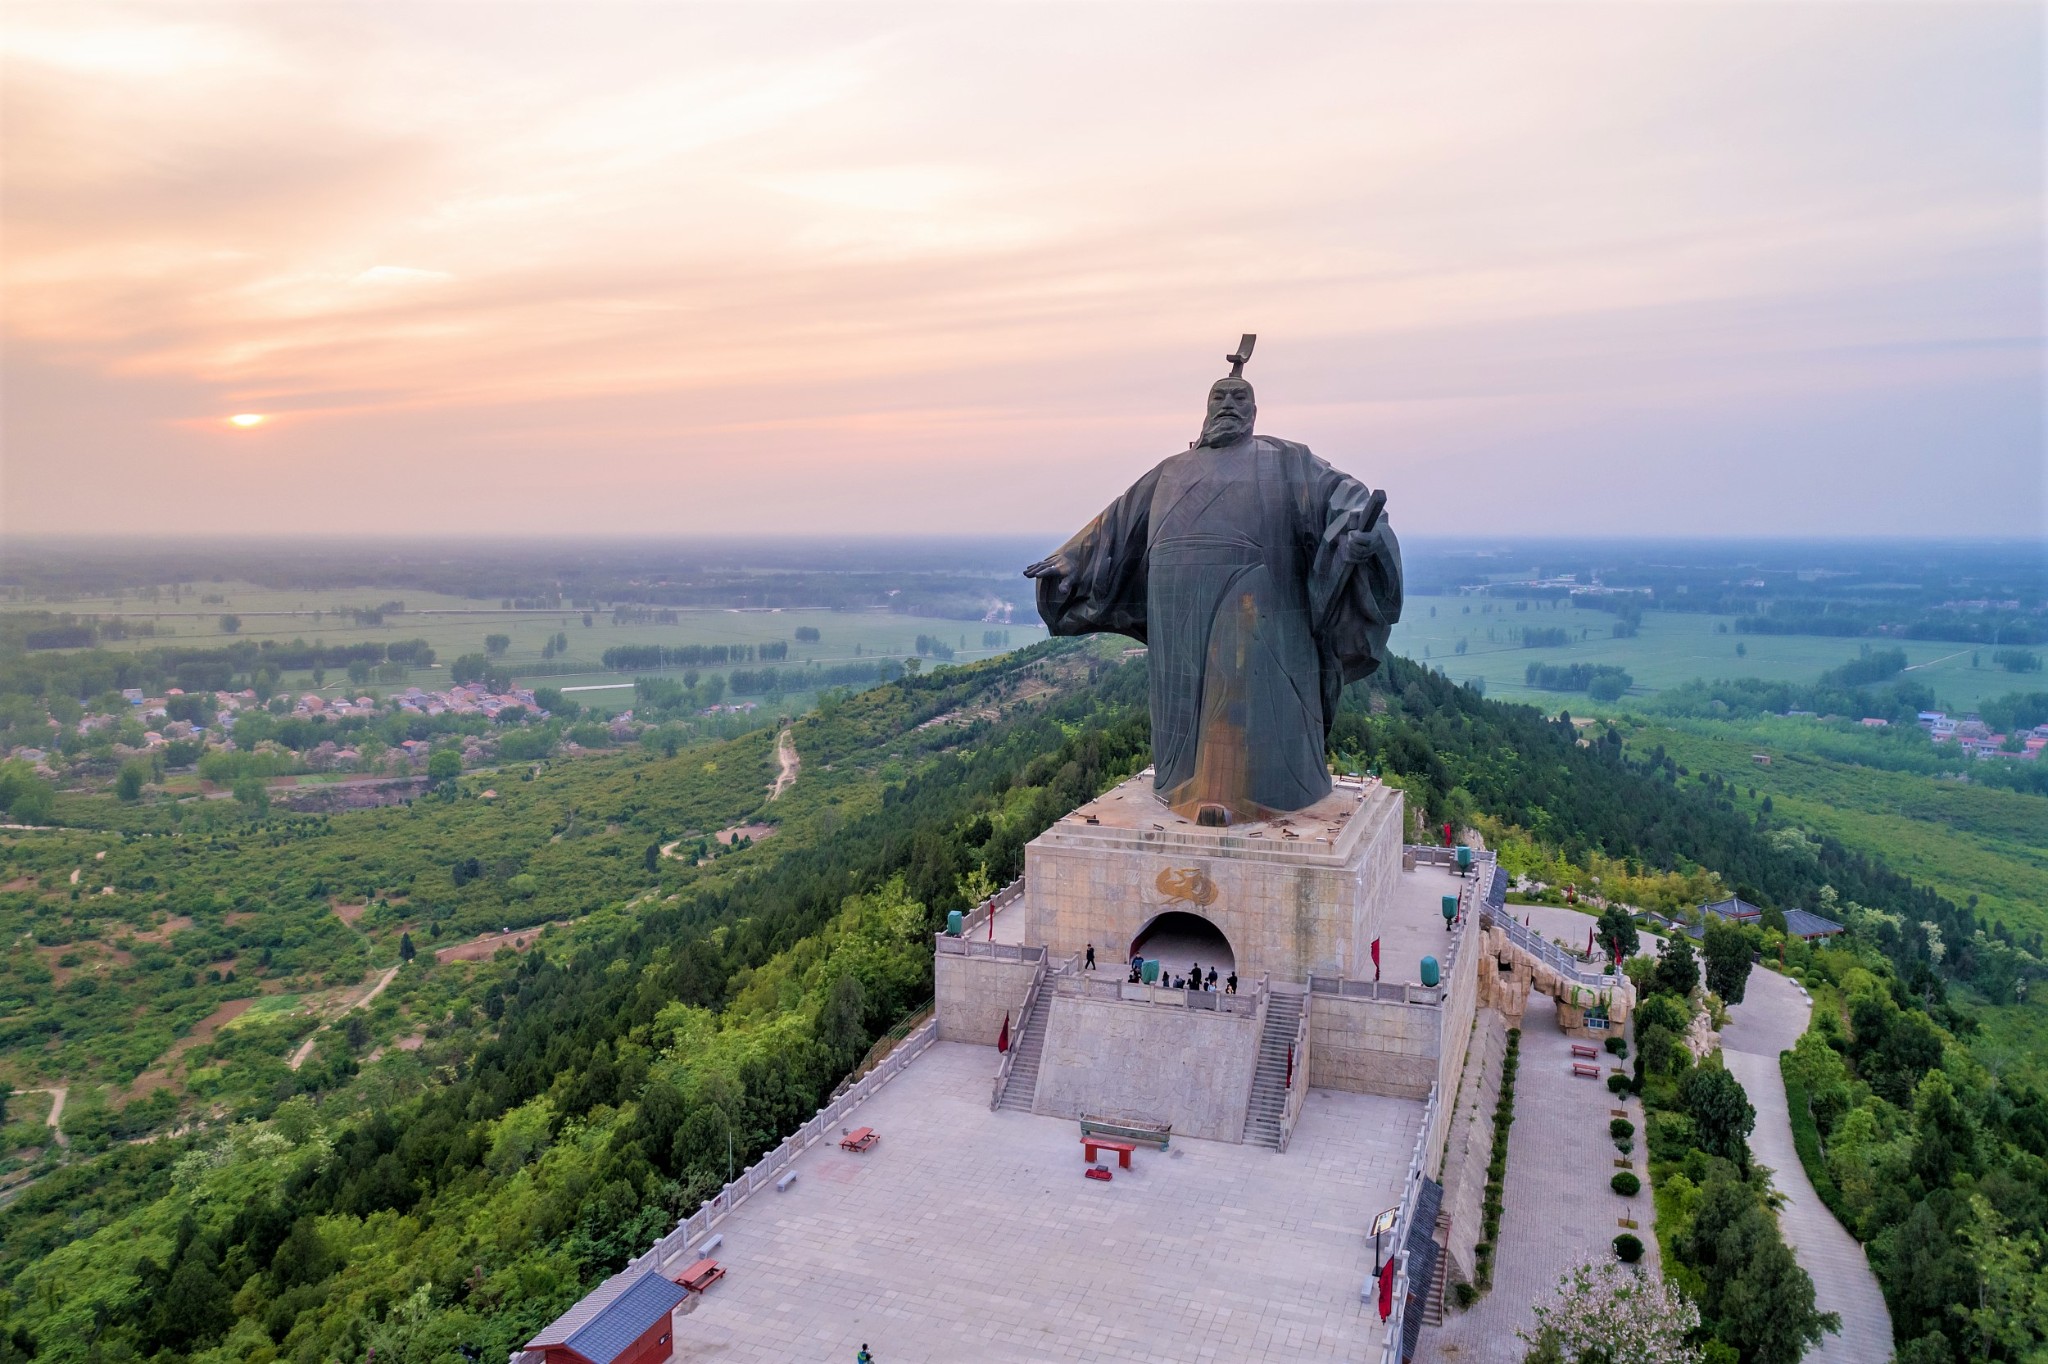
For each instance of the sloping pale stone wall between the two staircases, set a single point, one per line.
(1148, 1064)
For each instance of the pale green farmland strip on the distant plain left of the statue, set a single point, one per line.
(456, 626)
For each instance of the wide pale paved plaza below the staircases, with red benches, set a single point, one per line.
(972, 1236)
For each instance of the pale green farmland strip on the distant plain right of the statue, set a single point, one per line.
(1670, 650)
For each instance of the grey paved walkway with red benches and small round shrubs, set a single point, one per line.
(1558, 1207)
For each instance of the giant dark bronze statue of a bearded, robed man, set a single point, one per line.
(1263, 581)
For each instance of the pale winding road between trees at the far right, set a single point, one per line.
(1766, 1023)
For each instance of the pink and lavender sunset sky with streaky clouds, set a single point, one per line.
(482, 269)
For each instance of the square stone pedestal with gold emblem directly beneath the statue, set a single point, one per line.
(1291, 896)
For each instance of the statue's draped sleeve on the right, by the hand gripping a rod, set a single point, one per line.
(1355, 599)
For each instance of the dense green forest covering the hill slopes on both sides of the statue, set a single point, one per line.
(572, 1101)
